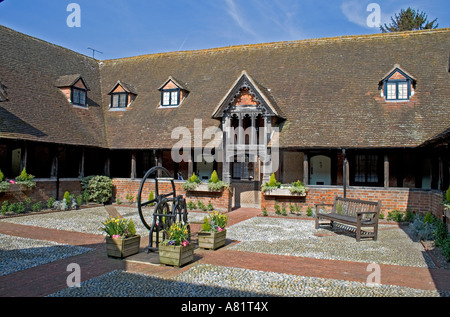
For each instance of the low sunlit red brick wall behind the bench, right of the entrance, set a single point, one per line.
(392, 198)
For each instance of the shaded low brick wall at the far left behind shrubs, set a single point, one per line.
(44, 189)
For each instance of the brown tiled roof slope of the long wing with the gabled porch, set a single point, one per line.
(327, 89)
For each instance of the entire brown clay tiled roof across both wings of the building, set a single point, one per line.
(327, 91)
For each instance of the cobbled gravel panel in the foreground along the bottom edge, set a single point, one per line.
(205, 280)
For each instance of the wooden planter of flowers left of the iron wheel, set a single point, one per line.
(121, 237)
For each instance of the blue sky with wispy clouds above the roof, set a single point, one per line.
(121, 28)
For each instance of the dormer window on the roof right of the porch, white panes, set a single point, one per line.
(398, 85)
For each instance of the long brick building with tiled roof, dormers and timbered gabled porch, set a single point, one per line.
(370, 111)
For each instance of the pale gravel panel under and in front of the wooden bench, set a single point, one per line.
(300, 238)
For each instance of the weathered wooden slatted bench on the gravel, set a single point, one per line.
(354, 212)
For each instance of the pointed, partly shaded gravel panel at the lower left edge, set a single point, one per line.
(18, 254)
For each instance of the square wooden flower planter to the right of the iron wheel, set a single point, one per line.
(213, 233)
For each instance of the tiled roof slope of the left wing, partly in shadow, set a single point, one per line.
(36, 108)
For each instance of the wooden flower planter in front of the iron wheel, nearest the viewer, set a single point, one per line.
(176, 249)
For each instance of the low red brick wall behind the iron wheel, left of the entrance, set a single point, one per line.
(221, 201)
